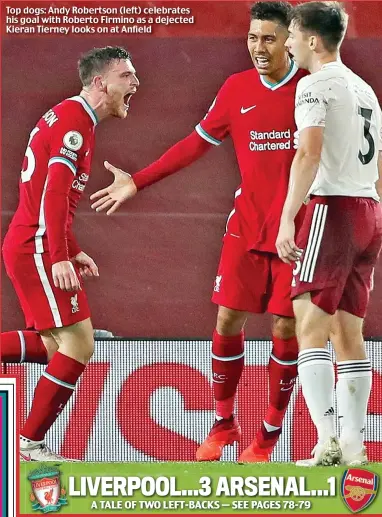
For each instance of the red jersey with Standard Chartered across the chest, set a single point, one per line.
(259, 116)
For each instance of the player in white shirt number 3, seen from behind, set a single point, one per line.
(338, 163)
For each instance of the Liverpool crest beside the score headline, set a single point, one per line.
(47, 495)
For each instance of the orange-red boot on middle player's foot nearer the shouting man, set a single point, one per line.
(224, 432)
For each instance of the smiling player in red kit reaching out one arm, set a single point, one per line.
(256, 108)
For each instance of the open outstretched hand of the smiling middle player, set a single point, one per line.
(112, 197)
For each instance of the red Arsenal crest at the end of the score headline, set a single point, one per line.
(359, 488)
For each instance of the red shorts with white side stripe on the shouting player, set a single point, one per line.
(44, 305)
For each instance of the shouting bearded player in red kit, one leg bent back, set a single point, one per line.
(41, 256)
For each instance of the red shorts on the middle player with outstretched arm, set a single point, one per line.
(252, 281)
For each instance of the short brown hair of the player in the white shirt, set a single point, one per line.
(327, 19)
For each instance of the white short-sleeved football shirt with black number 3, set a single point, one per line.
(346, 106)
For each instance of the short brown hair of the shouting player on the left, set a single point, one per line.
(96, 60)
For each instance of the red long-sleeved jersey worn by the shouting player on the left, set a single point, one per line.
(54, 174)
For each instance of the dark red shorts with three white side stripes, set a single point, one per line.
(341, 238)
